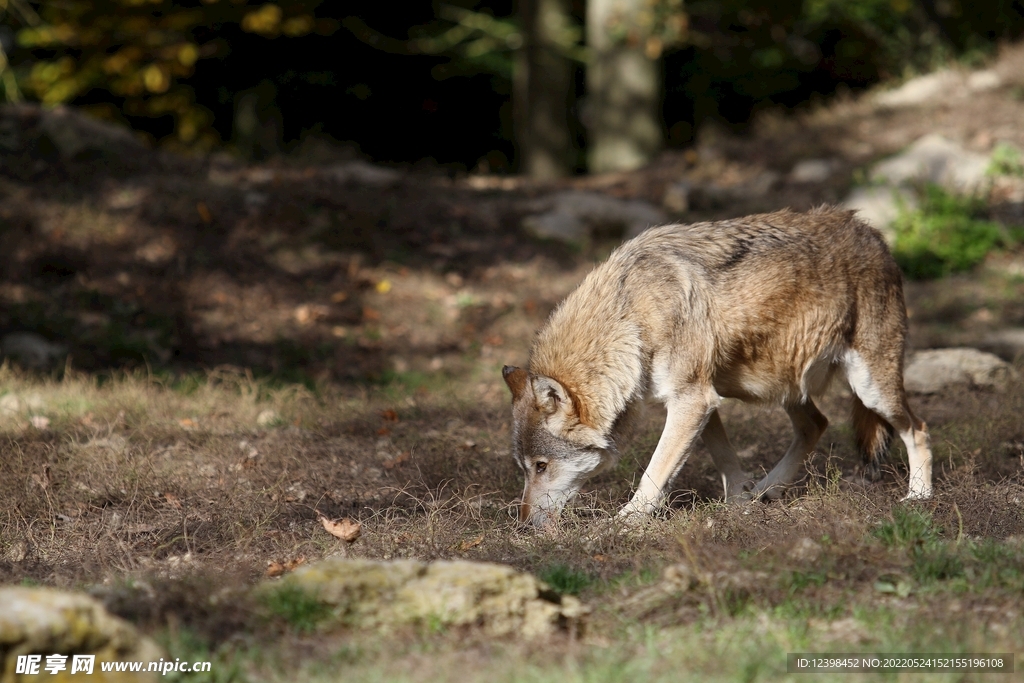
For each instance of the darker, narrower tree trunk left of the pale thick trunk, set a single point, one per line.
(543, 92)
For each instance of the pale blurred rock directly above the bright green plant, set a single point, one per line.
(937, 160)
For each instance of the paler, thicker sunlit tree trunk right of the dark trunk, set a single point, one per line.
(624, 123)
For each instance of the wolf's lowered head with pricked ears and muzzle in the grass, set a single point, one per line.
(552, 444)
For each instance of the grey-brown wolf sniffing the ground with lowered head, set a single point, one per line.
(766, 309)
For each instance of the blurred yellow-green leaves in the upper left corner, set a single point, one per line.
(141, 51)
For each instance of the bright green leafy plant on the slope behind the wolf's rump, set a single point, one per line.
(946, 235)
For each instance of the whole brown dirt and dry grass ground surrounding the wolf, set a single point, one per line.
(250, 347)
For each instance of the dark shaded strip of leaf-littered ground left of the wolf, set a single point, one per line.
(131, 258)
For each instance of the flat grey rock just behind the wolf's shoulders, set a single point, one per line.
(574, 217)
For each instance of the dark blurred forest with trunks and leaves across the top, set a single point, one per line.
(547, 88)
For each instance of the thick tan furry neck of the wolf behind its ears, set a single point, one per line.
(596, 354)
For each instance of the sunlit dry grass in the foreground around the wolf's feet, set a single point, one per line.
(172, 497)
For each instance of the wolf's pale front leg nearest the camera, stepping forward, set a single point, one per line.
(688, 414)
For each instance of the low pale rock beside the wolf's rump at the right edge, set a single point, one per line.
(936, 370)
